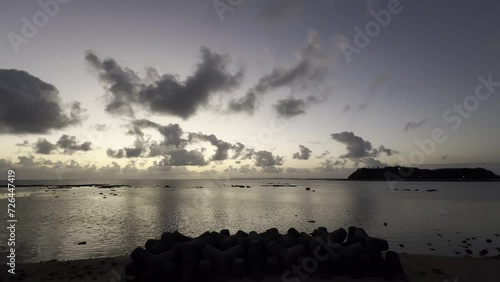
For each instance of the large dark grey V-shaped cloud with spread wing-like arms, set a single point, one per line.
(165, 94)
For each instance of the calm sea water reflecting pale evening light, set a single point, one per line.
(50, 227)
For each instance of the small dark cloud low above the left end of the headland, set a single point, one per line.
(357, 147)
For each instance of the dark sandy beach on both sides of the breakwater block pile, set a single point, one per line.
(423, 268)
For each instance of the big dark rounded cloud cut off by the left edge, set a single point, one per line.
(31, 105)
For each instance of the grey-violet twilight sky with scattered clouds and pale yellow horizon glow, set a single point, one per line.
(226, 89)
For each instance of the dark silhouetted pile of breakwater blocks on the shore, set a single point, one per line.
(221, 256)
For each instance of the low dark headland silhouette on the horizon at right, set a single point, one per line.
(396, 173)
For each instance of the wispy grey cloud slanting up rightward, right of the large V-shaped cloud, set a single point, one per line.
(307, 75)
